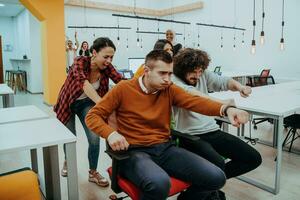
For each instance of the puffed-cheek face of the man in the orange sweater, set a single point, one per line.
(158, 74)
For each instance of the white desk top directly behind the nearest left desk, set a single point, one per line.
(22, 113)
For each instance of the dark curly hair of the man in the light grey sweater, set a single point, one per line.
(187, 60)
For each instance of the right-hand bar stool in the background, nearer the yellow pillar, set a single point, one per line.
(18, 79)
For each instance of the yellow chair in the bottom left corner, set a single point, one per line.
(20, 184)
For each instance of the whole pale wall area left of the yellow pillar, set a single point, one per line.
(23, 33)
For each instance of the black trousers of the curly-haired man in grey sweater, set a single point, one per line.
(216, 145)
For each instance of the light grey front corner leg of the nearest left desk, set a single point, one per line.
(72, 171)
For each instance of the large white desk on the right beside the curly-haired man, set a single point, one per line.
(274, 101)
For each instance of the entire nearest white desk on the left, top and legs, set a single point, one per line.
(46, 134)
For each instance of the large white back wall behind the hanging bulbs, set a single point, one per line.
(283, 64)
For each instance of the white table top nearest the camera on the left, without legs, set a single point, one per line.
(33, 134)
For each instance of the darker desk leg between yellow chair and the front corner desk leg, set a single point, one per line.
(51, 167)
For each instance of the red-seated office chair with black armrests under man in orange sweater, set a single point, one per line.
(120, 184)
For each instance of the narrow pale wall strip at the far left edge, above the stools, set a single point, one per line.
(6, 31)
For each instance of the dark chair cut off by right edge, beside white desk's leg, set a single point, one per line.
(293, 123)
